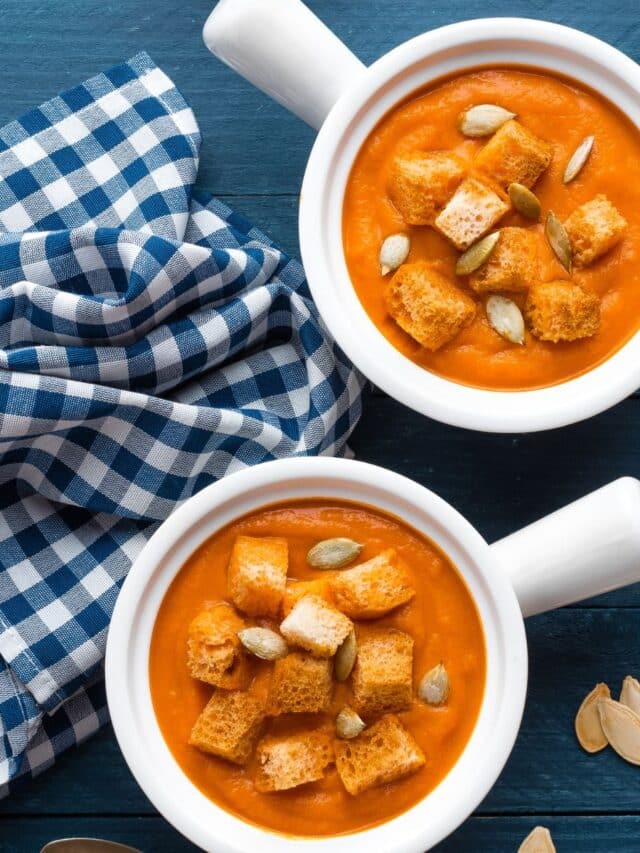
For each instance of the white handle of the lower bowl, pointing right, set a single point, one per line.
(589, 547)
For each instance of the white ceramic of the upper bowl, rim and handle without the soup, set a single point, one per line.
(284, 49)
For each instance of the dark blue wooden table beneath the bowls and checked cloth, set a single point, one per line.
(253, 156)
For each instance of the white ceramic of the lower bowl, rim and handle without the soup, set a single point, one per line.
(587, 548)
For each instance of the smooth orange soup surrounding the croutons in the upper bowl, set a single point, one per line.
(559, 111)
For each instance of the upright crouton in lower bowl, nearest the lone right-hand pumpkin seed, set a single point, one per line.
(383, 673)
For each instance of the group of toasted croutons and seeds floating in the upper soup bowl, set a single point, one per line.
(464, 202)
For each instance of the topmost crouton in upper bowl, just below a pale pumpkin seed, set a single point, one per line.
(514, 155)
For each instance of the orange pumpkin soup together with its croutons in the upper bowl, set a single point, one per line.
(575, 316)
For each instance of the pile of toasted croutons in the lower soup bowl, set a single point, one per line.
(304, 633)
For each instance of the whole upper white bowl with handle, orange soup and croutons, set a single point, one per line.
(470, 213)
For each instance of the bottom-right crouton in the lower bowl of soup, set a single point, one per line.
(382, 753)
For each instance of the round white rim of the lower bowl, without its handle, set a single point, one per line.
(127, 677)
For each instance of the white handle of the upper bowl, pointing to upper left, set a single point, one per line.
(284, 49)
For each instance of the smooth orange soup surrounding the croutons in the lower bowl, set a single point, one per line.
(441, 618)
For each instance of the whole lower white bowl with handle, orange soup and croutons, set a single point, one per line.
(321, 655)
